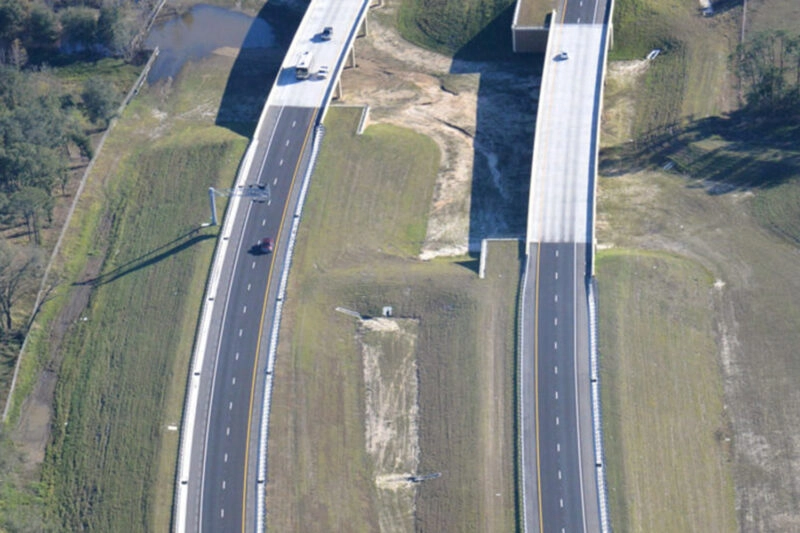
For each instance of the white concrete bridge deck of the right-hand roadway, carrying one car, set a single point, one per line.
(564, 153)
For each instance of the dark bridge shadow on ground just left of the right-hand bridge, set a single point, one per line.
(503, 137)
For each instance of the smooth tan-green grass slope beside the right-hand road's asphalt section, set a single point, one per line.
(662, 392)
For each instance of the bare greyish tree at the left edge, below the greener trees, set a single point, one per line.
(19, 274)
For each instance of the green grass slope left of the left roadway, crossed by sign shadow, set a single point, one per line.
(110, 463)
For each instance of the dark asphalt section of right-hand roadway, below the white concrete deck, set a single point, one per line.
(562, 496)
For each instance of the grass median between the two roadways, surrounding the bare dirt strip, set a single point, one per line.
(364, 224)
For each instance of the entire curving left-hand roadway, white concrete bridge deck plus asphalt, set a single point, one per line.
(222, 464)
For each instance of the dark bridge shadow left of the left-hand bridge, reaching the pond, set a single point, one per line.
(255, 70)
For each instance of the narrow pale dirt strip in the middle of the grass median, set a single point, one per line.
(388, 348)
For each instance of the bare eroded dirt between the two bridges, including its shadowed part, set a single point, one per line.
(469, 109)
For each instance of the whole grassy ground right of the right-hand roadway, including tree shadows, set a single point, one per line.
(730, 211)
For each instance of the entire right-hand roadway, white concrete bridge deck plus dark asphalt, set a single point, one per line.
(560, 446)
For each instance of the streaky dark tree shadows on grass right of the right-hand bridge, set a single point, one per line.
(741, 150)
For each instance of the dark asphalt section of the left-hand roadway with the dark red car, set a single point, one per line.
(222, 489)
